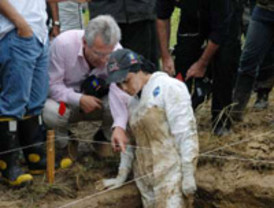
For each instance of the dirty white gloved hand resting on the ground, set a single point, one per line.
(112, 182)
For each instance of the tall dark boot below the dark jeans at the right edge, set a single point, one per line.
(242, 93)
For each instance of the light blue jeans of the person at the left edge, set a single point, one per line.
(23, 75)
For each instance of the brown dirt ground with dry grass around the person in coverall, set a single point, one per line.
(234, 171)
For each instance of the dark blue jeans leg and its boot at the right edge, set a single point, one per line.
(259, 39)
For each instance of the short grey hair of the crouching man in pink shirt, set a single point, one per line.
(106, 27)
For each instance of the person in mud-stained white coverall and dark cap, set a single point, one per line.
(163, 126)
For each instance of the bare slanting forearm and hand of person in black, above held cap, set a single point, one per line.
(198, 69)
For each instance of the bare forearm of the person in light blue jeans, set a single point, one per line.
(7, 10)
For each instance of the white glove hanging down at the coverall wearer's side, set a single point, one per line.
(188, 185)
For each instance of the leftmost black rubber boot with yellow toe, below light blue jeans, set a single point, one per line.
(12, 174)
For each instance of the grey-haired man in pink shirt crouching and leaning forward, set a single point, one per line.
(76, 55)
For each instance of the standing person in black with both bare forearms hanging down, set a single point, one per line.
(208, 33)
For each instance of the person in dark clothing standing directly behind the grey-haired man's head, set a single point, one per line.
(136, 18)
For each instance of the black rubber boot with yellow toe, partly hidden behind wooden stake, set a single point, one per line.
(32, 133)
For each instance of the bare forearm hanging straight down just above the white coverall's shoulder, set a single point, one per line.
(163, 29)
